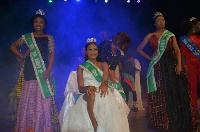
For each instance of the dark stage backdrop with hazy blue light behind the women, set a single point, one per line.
(71, 23)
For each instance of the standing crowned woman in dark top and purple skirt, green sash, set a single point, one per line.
(36, 111)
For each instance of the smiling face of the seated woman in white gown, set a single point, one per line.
(92, 51)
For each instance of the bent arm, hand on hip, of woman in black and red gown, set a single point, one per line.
(143, 44)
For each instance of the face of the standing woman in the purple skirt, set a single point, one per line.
(39, 24)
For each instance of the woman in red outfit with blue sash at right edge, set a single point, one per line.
(190, 51)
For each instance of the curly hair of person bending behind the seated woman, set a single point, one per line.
(121, 40)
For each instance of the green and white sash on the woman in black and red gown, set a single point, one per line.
(162, 43)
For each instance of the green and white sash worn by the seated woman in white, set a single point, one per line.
(97, 75)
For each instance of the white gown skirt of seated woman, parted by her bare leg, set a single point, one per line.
(110, 111)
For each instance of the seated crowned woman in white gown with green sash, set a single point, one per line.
(99, 107)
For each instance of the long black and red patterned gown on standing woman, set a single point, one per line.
(169, 107)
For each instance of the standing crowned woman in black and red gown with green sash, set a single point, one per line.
(168, 101)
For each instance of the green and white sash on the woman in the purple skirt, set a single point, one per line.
(38, 65)
